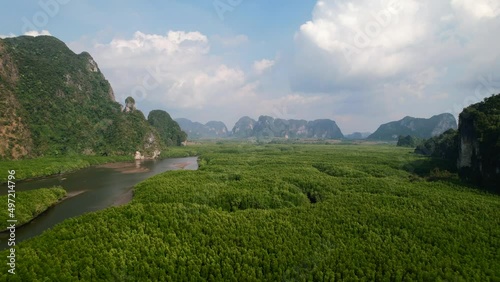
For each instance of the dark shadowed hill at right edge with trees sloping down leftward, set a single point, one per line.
(473, 149)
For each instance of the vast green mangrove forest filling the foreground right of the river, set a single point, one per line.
(260, 213)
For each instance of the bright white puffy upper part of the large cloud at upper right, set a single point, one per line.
(358, 37)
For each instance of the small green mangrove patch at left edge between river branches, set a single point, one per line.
(30, 204)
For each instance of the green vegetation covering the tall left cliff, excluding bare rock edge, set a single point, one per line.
(65, 100)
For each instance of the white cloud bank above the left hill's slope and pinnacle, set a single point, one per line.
(174, 72)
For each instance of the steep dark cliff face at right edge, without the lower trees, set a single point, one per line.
(479, 143)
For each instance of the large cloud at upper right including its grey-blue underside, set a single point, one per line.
(396, 58)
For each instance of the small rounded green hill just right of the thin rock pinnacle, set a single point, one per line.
(168, 129)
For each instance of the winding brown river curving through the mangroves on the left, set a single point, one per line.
(96, 188)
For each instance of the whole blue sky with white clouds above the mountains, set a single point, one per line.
(361, 63)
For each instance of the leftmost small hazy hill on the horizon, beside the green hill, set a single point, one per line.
(196, 130)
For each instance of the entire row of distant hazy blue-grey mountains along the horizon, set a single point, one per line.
(269, 127)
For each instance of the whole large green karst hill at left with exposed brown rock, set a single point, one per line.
(59, 103)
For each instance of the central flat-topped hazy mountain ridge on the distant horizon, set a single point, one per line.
(268, 127)
